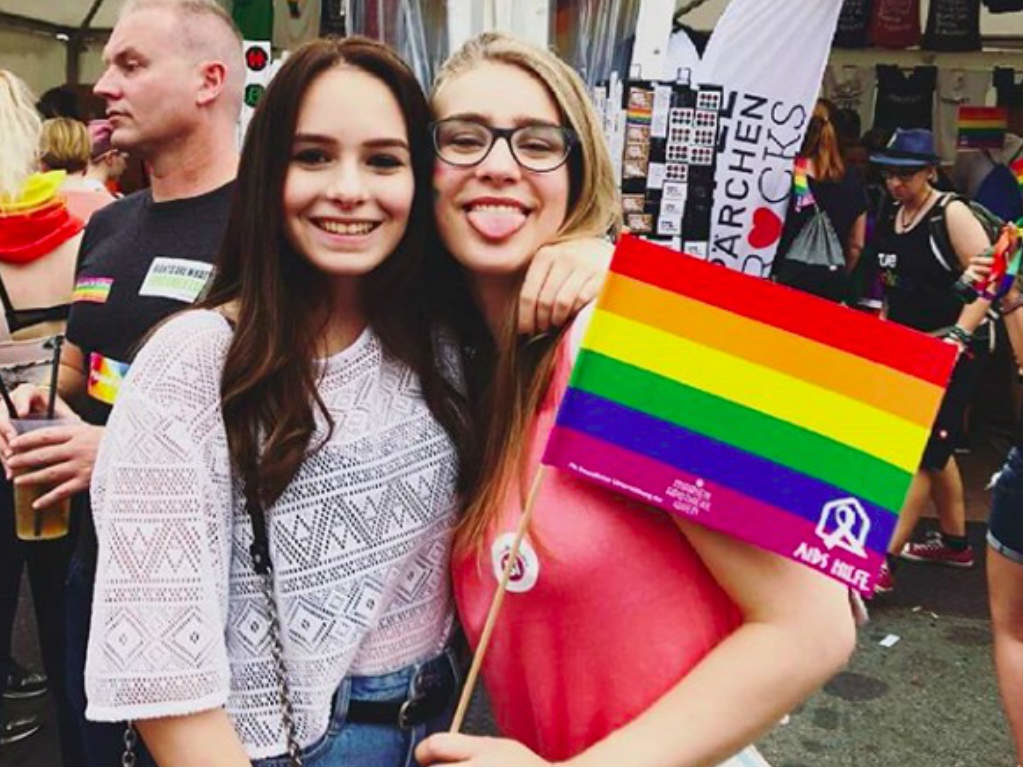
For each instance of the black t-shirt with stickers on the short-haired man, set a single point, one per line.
(142, 262)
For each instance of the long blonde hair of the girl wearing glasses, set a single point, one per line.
(523, 371)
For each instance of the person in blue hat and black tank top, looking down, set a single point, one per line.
(919, 277)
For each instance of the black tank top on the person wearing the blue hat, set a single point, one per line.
(919, 287)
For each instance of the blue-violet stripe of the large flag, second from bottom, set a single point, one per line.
(721, 463)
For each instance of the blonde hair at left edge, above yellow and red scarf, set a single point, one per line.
(20, 127)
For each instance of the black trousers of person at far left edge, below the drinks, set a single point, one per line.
(48, 564)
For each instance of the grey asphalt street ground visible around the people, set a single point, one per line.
(929, 700)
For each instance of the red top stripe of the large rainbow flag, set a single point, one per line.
(887, 344)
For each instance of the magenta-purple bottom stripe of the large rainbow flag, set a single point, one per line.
(733, 513)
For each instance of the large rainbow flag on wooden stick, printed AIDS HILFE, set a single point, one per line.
(772, 415)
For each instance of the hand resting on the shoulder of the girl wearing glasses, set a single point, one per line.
(562, 280)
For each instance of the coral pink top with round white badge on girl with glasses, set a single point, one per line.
(609, 608)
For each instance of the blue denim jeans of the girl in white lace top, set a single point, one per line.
(369, 744)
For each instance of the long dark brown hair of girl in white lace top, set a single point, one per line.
(280, 303)
